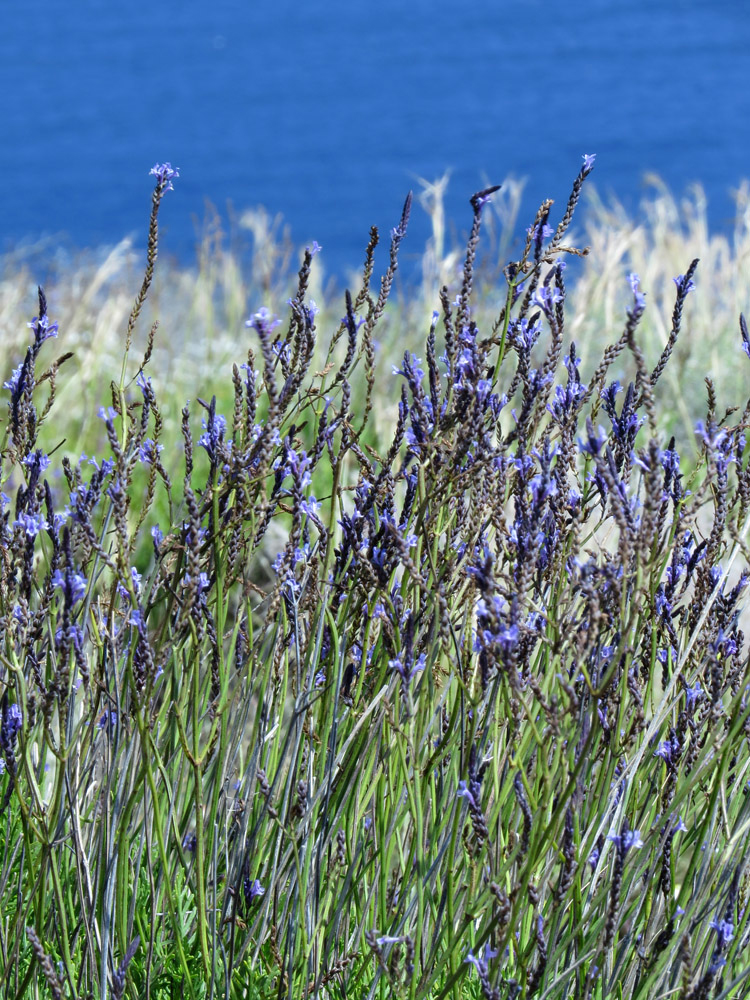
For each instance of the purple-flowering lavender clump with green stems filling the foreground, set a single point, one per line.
(298, 711)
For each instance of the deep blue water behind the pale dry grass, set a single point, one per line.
(327, 111)
